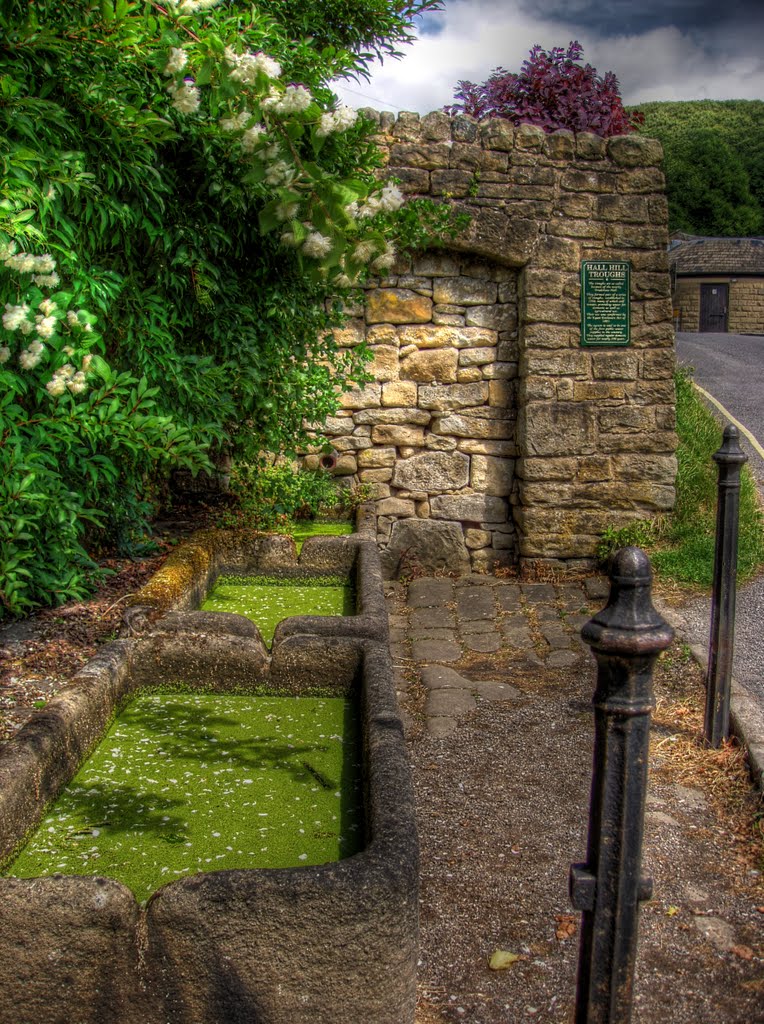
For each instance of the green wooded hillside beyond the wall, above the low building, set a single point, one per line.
(714, 163)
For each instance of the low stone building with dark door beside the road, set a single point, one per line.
(719, 284)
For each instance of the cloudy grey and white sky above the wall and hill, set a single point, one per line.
(659, 50)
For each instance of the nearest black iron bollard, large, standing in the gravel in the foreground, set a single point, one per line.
(626, 637)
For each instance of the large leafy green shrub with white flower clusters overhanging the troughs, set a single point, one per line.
(182, 200)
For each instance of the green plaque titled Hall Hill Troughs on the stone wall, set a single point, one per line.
(605, 303)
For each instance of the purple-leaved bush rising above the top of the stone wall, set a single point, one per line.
(553, 91)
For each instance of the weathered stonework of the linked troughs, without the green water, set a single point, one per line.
(331, 943)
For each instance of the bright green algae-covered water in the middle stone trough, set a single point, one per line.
(267, 601)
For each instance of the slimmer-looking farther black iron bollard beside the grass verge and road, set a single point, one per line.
(731, 459)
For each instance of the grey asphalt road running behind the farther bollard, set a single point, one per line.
(731, 368)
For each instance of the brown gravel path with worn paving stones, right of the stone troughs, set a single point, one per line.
(501, 747)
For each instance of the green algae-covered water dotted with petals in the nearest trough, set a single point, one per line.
(200, 783)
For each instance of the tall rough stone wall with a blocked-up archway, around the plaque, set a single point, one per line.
(489, 434)
